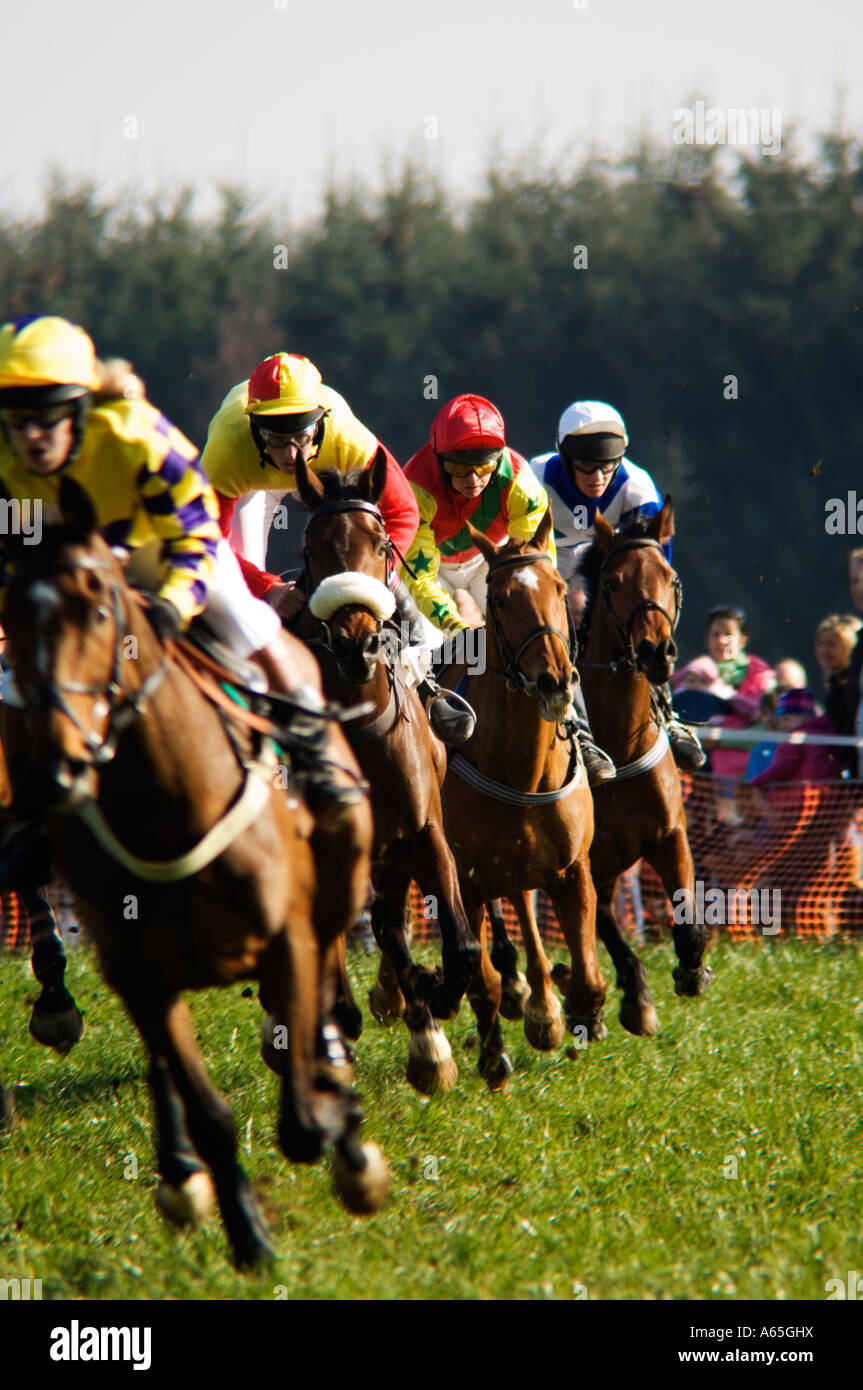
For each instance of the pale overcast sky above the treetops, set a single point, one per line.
(277, 94)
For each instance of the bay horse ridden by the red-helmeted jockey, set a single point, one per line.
(518, 806)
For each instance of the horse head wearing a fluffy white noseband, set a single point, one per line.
(348, 557)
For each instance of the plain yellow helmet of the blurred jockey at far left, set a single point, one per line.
(47, 352)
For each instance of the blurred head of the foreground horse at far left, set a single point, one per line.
(70, 625)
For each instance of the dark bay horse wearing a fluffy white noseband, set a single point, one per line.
(348, 559)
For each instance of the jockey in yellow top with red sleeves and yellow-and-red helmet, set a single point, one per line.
(283, 412)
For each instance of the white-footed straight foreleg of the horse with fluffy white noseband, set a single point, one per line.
(430, 1065)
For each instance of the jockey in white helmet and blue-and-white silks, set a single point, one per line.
(589, 475)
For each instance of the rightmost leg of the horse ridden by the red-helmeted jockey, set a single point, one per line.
(575, 900)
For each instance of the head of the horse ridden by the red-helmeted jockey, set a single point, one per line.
(529, 619)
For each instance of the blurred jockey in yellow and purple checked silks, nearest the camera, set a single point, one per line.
(63, 414)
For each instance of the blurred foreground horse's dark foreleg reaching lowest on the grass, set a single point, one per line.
(166, 1028)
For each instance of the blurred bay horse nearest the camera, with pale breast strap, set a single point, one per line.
(219, 888)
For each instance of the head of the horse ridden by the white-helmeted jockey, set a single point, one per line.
(641, 593)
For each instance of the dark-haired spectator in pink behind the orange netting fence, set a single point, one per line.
(736, 679)
